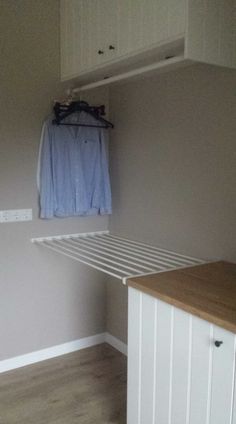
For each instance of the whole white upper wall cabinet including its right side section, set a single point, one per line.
(101, 38)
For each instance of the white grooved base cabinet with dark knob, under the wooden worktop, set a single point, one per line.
(176, 373)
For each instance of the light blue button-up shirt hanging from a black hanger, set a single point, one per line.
(73, 170)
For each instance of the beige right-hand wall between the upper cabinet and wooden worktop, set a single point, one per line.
(173, 161)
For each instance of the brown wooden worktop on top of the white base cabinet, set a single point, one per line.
(208, 291)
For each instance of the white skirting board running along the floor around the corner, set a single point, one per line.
(62, 349)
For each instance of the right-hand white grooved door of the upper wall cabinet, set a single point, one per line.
(146, 23)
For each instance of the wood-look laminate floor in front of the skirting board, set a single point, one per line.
(85, 387)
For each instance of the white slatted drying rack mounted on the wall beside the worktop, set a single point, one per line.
(119, 257)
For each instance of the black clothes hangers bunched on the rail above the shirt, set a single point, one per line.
(63, 110)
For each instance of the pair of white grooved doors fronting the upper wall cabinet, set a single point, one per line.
(94, 32)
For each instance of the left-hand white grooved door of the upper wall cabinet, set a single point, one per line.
(88, 35)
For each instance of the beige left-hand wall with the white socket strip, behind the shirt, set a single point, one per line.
(45, 299)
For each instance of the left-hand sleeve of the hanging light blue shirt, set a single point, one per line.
(46, 191)
